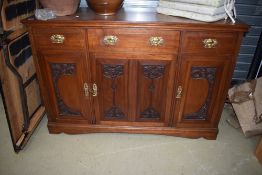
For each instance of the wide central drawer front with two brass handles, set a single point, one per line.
(133, 40)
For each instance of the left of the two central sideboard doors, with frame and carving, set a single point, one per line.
(110, 76)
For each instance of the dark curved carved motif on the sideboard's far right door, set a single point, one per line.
(208, 73)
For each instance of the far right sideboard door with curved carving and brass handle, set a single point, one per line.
(201, 91)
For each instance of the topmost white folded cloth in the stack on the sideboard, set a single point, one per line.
(214, 3)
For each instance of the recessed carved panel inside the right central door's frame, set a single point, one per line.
(152, 76)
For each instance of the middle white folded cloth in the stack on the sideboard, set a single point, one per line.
(203, 9)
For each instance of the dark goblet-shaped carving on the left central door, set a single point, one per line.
(112, 72)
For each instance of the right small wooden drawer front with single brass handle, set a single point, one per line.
(215, 43)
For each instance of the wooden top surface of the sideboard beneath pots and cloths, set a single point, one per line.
(134, 17)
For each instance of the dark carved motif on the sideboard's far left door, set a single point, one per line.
(58, 70)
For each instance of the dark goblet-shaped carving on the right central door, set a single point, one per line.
(152, 72)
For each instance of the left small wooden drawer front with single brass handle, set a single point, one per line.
(59, 38)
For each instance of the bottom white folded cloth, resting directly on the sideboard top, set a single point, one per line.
(191, 15)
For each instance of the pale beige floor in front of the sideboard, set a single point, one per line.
(129, 154)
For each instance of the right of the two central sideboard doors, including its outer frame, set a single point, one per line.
(155, 79)
